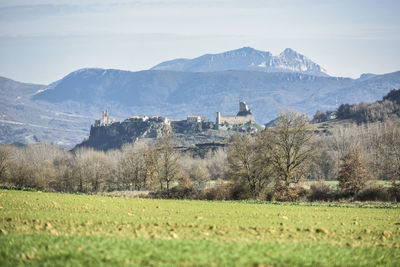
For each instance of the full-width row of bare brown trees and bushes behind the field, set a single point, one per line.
(269, 165)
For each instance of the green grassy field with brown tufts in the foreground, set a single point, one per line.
(71, 230)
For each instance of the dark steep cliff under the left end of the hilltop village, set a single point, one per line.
(130, 130)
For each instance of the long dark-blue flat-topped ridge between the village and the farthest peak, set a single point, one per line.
(177, 94)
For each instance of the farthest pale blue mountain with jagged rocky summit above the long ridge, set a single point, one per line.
(248, 59)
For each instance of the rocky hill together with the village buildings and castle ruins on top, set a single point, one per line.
(107, 133)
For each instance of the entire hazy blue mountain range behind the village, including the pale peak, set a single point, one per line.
(63, 111)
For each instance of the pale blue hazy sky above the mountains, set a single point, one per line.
(42, 41)
